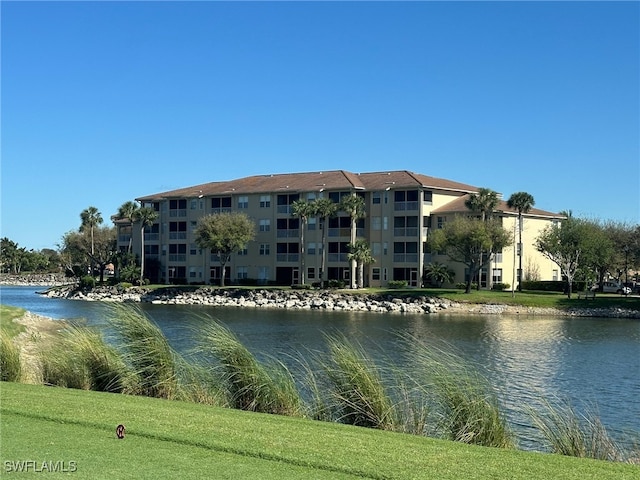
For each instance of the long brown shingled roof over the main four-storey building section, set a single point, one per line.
(310, 181)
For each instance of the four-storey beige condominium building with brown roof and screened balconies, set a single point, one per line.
(401, 208)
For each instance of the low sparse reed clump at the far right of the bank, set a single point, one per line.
(568, 432)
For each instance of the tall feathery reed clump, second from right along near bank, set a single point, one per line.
(466, 408)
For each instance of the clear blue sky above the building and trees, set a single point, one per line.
(103, 102)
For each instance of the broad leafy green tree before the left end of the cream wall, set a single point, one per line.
(465, 240)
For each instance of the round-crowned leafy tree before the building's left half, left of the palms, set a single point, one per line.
(224, 233)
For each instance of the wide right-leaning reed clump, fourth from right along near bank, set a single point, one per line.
(249, 385)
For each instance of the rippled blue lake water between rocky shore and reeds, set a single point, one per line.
(592, 362)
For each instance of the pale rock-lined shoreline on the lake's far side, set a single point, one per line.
(327, 300)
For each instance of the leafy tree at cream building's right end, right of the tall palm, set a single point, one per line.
(565, 244)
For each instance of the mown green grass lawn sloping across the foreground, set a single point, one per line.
(169, 439)
